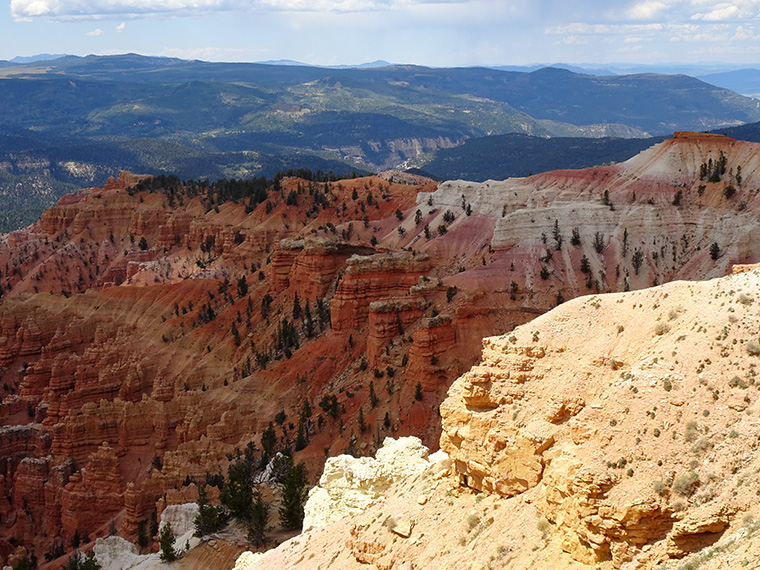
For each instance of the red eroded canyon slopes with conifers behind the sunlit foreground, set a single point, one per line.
(174, 324)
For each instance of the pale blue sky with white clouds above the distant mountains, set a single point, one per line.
(441, 33)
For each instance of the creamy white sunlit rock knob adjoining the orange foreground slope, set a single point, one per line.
(349, 485)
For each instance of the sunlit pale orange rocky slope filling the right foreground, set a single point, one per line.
(616, 431)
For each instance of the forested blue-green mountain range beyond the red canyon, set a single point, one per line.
(75, 120)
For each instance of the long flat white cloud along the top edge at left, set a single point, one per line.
(99, 9)
